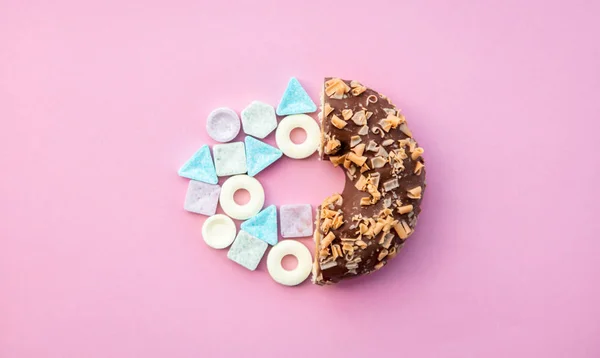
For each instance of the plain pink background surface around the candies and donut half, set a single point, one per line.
(101, 102)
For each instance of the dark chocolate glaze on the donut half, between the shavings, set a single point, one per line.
(352, 196)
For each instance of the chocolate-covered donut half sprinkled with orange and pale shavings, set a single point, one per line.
(361, 229)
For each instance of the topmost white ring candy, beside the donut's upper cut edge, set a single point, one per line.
(291, 149)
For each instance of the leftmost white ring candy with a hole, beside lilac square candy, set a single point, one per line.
(252, 207)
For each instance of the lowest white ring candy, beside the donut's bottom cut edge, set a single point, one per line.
(289, 277)
